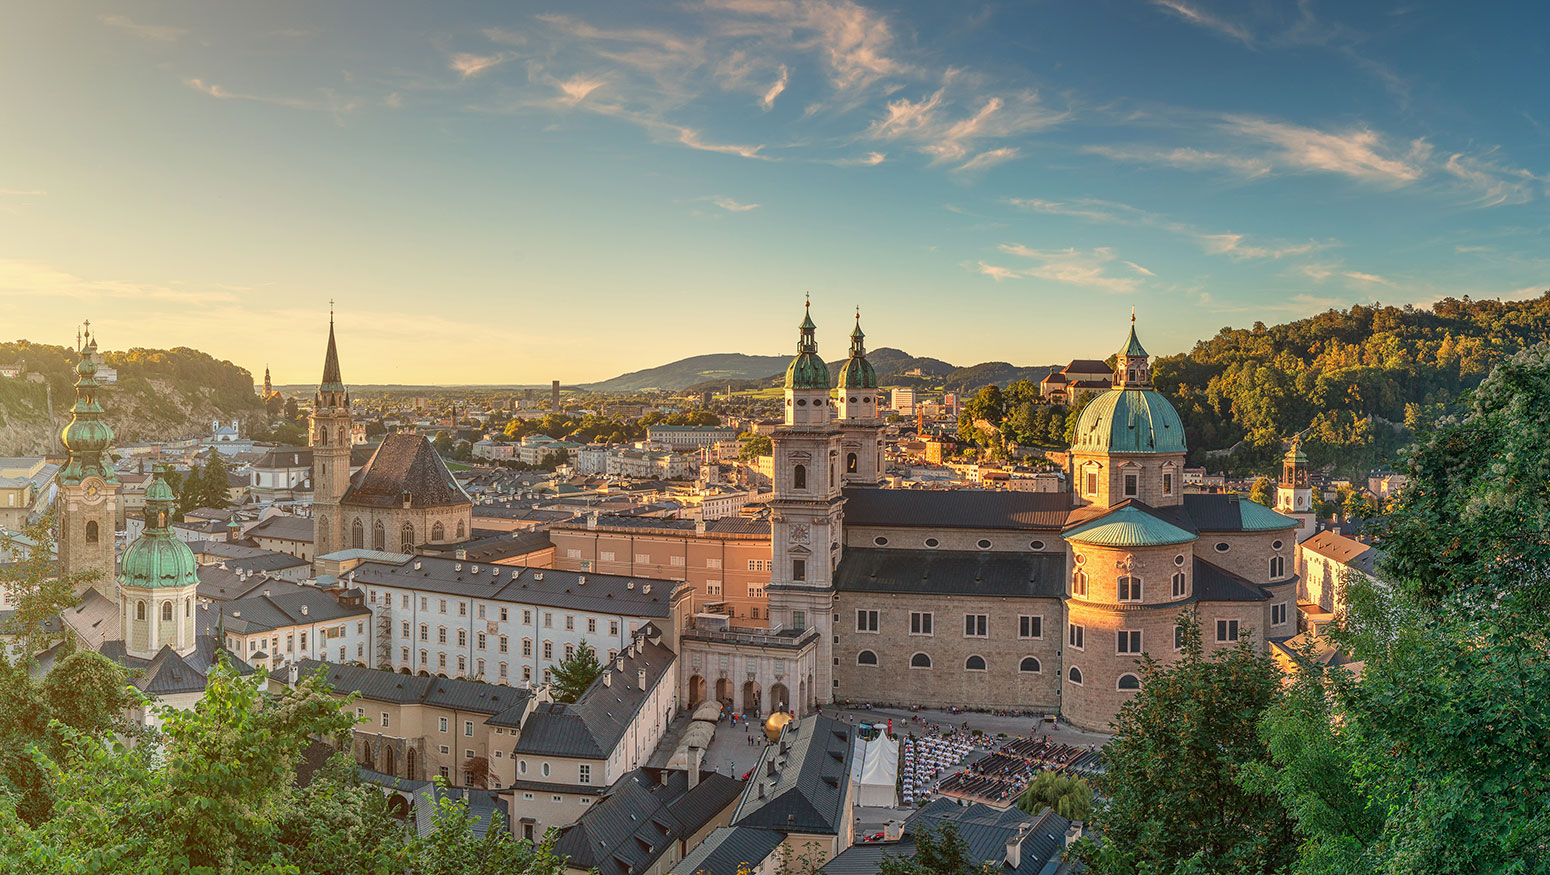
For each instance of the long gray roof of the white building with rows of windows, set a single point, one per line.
(577, 591)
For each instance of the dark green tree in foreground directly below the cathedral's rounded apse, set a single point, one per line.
(1174, 772)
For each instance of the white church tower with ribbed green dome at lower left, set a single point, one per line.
(160, 582)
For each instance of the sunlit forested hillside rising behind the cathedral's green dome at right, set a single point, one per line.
(1359, 382)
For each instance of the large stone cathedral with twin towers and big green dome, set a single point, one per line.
(1035, 602)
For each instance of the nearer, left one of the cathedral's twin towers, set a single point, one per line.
(807, 512)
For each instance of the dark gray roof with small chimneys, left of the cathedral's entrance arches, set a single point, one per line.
(593, 726)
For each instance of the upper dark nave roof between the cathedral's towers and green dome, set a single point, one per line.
(957, 509)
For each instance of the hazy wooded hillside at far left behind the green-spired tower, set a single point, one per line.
(160, 394)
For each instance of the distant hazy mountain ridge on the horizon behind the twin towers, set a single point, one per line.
(895, 368)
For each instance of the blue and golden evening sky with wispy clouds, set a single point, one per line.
(522, 191)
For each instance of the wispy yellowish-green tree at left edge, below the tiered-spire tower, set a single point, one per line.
(36, 589)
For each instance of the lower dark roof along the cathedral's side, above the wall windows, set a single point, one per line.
(952, 572)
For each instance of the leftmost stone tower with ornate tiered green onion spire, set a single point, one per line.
(88, 484)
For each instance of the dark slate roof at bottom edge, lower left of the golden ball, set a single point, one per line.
(641, 817)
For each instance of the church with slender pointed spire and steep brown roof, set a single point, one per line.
(402, 499)
